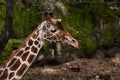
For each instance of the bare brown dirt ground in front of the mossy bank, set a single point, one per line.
(81, 69)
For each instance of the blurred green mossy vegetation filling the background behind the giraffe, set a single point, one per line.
(94, 23)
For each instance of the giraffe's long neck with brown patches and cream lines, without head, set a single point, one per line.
(23, 57)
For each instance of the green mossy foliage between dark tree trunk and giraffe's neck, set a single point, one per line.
(26, 19)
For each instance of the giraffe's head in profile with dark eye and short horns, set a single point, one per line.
(53, 31)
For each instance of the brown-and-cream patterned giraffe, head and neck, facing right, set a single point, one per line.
(50, 30)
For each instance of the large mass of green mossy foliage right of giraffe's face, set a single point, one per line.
(84, 22)
